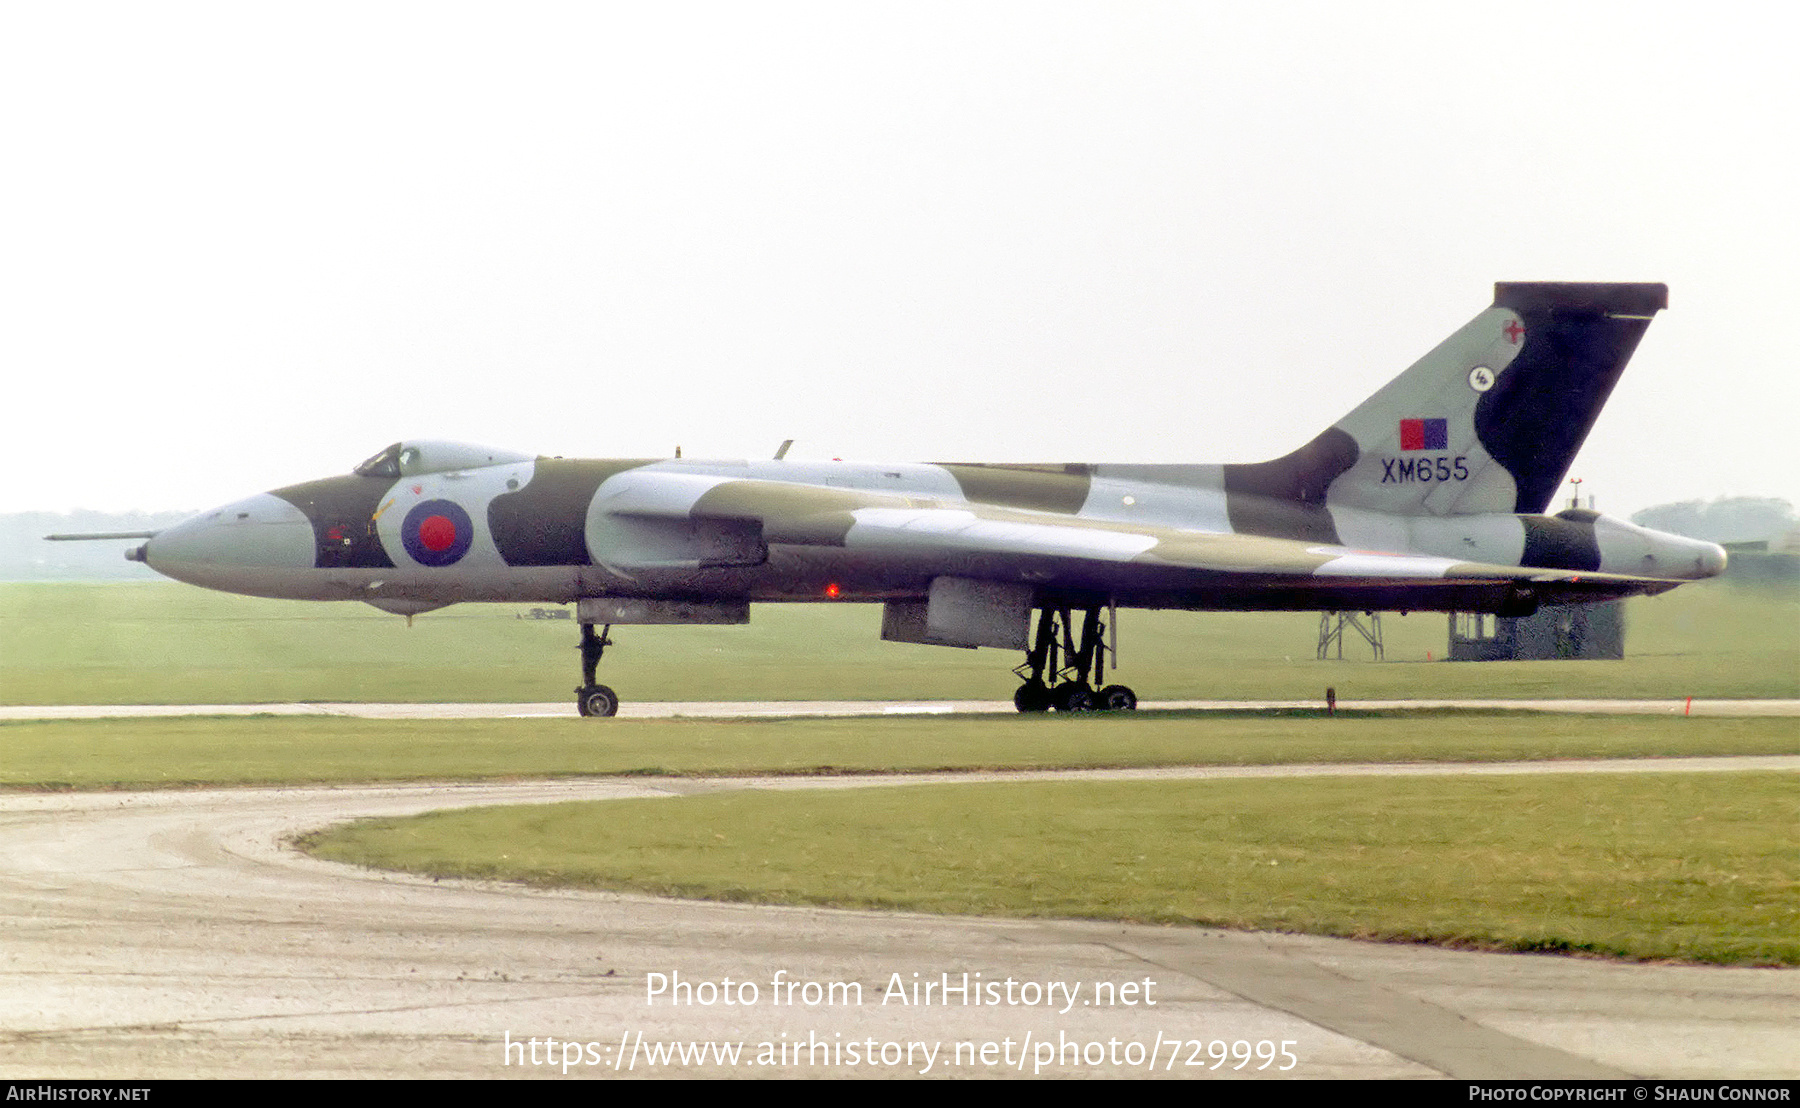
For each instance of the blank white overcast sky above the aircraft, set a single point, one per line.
(253, 244)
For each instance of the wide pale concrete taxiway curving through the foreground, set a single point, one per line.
(174, 934)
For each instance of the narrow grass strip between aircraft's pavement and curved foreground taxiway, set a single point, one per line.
(327, 751)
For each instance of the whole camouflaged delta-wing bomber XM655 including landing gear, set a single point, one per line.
(1428, 497)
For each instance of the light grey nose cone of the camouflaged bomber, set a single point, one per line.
(251, 546)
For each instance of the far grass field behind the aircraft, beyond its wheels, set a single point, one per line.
(165, 643)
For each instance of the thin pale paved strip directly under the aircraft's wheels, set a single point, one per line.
(876, 708)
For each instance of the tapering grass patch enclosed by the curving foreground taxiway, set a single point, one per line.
(1641, 868)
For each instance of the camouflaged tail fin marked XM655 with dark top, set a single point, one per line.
(1489, 422)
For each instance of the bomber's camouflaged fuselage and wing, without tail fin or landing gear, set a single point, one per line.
(555, 532)
